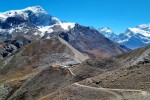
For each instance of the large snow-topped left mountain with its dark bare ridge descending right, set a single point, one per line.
(20, 27)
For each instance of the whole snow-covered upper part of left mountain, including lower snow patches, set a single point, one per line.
(31, 20)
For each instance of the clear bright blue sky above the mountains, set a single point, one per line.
(116, 14)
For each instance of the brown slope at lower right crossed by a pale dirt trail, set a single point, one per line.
(116, 82)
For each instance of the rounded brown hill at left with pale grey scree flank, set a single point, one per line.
(33, 59)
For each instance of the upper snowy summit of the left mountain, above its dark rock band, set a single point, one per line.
(36, 15)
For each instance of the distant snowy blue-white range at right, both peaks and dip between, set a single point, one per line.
(133, 38)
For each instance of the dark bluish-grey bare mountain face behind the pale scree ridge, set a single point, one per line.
(91, 42)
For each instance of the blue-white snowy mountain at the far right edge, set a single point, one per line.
(135, 37)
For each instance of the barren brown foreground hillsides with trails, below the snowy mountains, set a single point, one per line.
(125, 76)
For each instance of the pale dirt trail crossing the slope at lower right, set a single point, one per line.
(122, 94)
